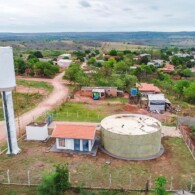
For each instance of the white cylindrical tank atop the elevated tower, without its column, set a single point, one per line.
(7, 72)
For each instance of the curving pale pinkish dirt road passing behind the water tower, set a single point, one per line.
(58, 96)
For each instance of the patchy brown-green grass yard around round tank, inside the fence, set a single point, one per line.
(175, 164)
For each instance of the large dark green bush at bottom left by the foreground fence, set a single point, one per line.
(55, 183)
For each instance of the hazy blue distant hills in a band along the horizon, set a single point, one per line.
(140, 38)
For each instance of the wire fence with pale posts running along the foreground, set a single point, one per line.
(88, 179)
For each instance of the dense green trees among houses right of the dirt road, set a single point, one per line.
(121, 69)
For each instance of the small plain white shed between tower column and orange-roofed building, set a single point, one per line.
(35, 131)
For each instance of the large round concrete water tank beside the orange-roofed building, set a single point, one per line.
(131, 136)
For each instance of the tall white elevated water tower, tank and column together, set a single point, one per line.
(7, 84)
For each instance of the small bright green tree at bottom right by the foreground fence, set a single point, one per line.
(160, 186)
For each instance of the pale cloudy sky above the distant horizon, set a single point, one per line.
(96, 15)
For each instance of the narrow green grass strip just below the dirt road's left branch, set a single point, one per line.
(35, 84)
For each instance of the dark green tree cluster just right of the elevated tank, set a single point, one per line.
(32, 66)
